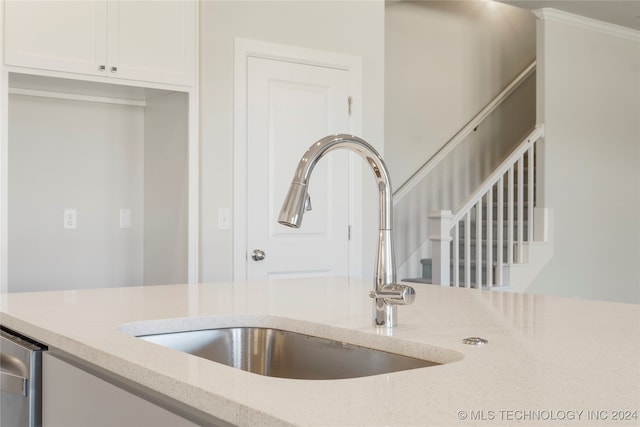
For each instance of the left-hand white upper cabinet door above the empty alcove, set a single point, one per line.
(56, 35)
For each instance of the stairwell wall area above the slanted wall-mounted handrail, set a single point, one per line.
(444, 61)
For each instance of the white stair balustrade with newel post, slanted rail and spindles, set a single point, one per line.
(478, 243)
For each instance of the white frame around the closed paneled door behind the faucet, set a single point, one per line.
(245, 48)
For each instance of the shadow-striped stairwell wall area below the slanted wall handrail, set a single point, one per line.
(459, 174)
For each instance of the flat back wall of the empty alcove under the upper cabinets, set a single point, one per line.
(82, 155)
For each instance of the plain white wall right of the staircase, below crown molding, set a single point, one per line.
(589, 101)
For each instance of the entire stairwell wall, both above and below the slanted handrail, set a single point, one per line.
(444, 62)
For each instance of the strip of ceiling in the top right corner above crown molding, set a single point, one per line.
(625, 13)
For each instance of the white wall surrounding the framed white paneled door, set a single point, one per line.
(350, 27)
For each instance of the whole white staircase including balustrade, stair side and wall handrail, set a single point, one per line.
(482, 242)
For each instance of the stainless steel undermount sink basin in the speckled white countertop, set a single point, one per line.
(286, 354)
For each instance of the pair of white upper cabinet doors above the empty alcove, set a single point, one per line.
(152, 41)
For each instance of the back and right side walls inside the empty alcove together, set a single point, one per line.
(96, 158)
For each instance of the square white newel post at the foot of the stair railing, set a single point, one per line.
(440, 226)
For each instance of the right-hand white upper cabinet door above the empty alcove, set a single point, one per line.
(152, 40)
